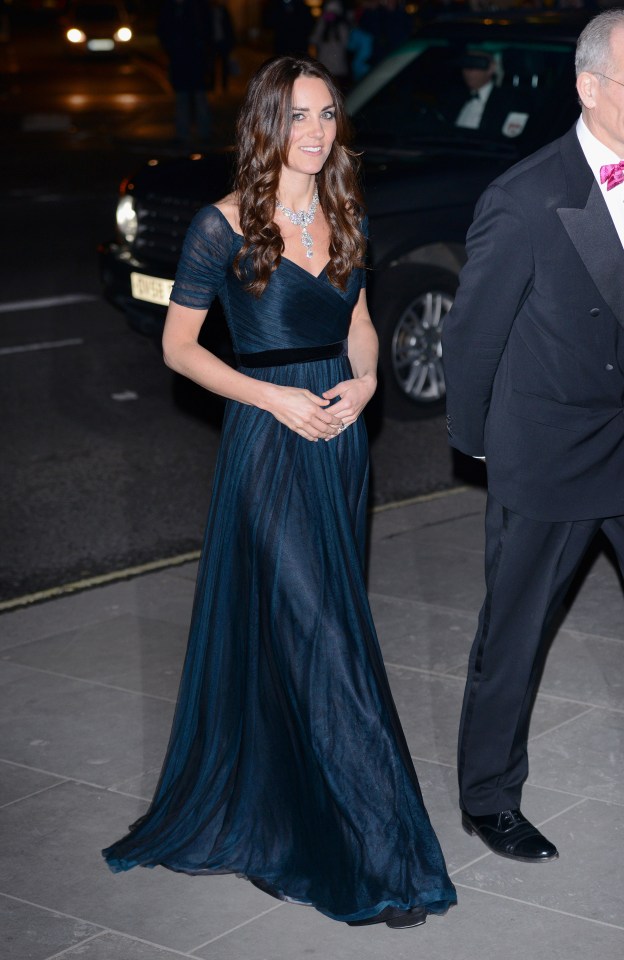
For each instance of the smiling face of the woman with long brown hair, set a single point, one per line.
(313, 128)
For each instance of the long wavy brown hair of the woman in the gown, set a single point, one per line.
(263, 137)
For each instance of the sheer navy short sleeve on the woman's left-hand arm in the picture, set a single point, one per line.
(204, 260)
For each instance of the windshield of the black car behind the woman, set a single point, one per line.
(418, 95)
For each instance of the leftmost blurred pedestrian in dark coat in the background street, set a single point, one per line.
(185, 30)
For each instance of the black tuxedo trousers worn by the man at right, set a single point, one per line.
(529, 566)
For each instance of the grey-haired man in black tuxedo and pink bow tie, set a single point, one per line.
(534, 358)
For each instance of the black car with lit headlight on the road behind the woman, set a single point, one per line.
(422, 176)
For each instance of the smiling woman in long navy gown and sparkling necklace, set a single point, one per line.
(287, 764)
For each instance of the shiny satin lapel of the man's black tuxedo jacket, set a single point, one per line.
(592, 232)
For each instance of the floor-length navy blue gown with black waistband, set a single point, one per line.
(287, 763)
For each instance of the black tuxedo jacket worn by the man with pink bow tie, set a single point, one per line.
(534, 344)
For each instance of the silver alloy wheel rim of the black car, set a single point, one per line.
(417, 347)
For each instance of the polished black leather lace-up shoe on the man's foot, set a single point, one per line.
(509, 834)
